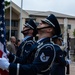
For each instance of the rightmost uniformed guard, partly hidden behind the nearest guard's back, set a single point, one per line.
(58, 67)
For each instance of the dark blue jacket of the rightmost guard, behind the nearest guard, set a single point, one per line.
(58, 67)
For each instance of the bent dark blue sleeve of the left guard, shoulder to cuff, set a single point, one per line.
(25, 53)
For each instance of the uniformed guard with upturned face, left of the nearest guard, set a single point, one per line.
(29, 31)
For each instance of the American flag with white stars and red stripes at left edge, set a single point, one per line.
(2, 35)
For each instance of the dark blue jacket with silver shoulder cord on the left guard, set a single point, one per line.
(23, 51)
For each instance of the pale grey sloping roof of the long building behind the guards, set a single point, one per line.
(46, 13)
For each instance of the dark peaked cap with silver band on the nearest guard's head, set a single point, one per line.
(52, 21)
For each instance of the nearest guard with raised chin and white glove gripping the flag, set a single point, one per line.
(44, 56)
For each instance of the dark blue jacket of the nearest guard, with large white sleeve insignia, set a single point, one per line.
(44, 58)
